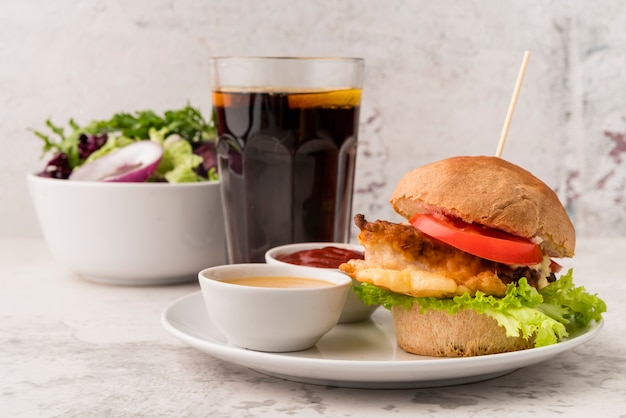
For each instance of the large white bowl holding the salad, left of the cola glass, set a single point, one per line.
(131, 233)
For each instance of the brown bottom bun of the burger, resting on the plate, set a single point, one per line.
(464, 334)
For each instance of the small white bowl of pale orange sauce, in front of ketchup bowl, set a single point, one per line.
(273, 319)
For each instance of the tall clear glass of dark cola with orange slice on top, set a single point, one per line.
(287, 137)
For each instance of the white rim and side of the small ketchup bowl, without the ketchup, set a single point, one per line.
(354, 310)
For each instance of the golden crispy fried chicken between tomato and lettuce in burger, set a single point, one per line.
(400, 258)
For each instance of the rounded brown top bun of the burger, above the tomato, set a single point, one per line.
(492, 192)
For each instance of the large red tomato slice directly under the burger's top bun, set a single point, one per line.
(480, 241)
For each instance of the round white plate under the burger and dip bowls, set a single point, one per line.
(359, 355)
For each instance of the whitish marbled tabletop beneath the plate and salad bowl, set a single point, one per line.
(69, 347)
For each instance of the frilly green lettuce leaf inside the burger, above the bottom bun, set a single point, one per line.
(553, 313)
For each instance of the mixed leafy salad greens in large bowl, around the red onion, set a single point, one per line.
(188, 142)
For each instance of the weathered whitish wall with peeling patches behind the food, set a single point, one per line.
(439, 80)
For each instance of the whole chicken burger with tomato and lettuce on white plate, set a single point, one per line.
(472, 271)
